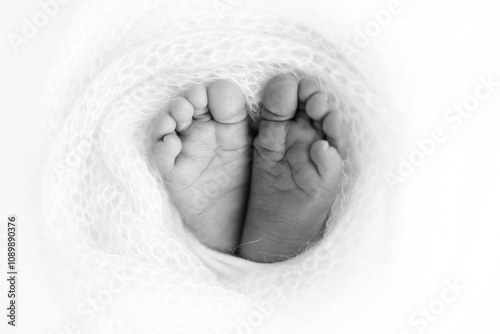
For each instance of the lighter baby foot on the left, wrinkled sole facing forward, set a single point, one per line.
(204, 156)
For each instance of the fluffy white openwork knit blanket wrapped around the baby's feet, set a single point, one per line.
(108, 215)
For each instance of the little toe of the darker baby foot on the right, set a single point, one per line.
(327, 160)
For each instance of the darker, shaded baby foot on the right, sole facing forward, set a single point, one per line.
(296, 170)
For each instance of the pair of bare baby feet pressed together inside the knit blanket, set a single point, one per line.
(265, 198)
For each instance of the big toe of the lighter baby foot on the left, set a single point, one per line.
(226, 102)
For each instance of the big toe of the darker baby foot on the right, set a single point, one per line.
(280, 98)
